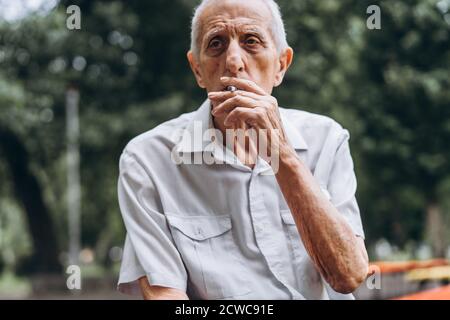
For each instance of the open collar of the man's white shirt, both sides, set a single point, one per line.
(195, 138)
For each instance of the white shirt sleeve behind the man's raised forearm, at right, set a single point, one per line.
(342, 185)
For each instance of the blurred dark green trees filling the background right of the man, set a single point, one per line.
(390, 87)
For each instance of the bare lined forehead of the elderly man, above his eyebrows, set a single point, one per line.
(243, 13)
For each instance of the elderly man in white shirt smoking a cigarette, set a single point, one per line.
(226, 229)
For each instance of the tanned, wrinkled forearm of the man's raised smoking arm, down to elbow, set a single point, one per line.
(327, 237)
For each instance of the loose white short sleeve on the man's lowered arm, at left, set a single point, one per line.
(149, 248)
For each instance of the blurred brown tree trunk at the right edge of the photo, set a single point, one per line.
(435, 230)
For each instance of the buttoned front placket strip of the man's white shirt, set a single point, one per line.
(265, 240)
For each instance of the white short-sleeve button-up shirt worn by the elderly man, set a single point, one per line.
(222, 230)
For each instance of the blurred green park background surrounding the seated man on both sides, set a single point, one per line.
(388, 87)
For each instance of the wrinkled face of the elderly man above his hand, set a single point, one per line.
(235, 41)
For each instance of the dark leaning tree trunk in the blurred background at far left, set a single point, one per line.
(29, 193)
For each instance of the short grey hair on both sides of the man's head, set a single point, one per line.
(276, 26)
